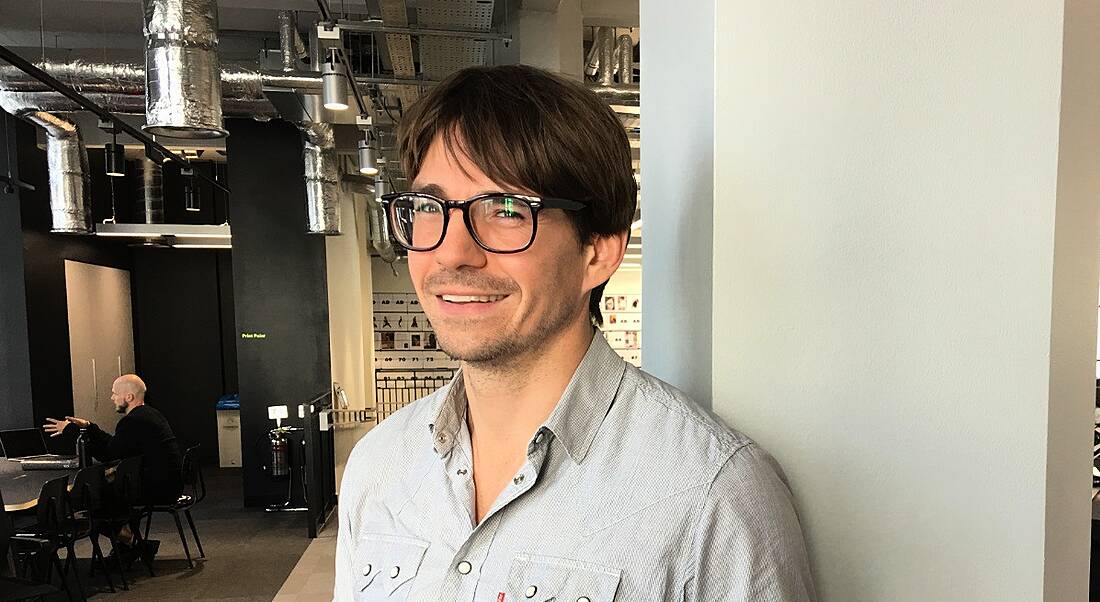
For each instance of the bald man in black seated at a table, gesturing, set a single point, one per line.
(144, 431)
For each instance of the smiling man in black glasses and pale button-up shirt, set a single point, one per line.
(548, 469)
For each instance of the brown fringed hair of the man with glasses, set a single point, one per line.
(527, 128)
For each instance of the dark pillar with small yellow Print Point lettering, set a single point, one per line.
(279, 288)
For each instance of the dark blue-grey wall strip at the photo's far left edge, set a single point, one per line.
(17, 410)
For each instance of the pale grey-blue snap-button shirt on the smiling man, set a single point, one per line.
(631, 492)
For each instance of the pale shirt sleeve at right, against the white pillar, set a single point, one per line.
(749, 543)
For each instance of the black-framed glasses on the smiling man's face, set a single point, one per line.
(500, 223)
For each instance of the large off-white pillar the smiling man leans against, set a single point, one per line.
(905, 278)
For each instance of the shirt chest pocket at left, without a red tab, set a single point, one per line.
(386, 566)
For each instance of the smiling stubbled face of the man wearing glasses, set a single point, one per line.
(532, 297)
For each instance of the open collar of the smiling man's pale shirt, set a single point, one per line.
(575, 421)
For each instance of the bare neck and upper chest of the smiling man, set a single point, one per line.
(509, 406)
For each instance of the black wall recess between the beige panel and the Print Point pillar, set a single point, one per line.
(179, 324)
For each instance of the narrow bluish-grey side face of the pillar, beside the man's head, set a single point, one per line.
(677, 192)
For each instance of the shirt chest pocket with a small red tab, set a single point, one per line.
(544, 578)
